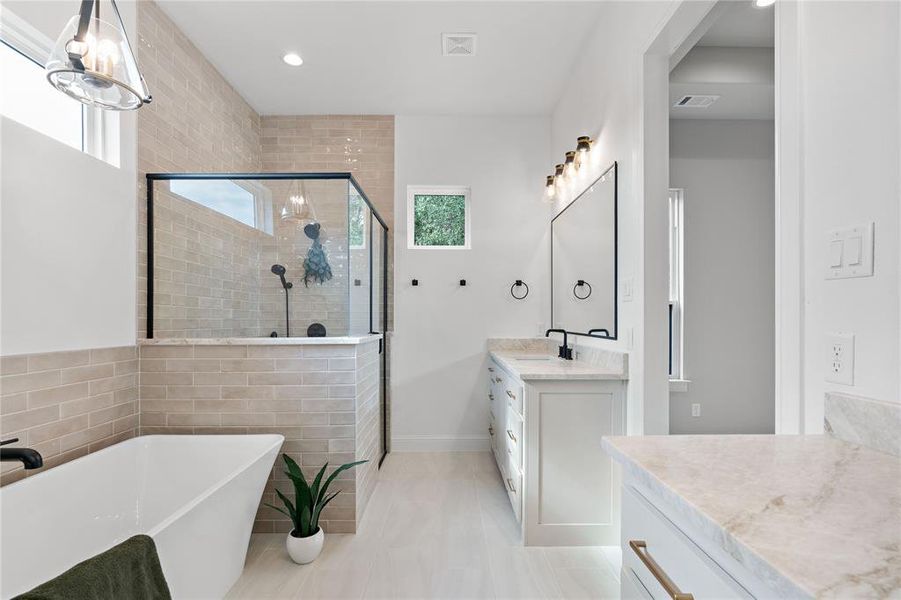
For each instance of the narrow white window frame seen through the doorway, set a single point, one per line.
(677, 279)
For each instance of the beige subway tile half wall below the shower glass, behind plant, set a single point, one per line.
(320, 397)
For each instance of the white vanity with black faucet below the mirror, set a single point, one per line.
(545, 419)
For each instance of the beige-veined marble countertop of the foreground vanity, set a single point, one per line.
(809, 515)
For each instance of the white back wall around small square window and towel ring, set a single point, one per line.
(438, 354)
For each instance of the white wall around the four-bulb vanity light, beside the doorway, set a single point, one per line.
(603, 98)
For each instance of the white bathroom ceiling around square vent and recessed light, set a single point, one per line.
(385, 57)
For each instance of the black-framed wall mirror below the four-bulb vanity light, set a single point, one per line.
(584, 261)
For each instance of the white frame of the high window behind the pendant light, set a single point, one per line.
(99, 128)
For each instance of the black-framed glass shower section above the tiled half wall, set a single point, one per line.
(215, 241)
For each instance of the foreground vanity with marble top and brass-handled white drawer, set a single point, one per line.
(757, 516)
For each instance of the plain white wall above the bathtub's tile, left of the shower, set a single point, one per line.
(67, 240)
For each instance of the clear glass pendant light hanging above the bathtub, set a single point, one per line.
(93, 62)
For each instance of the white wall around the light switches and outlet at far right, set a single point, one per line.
(851, 64)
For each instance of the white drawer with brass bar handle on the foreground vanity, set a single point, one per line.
(655, 550)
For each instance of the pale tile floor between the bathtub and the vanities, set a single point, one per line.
(438, 526)
